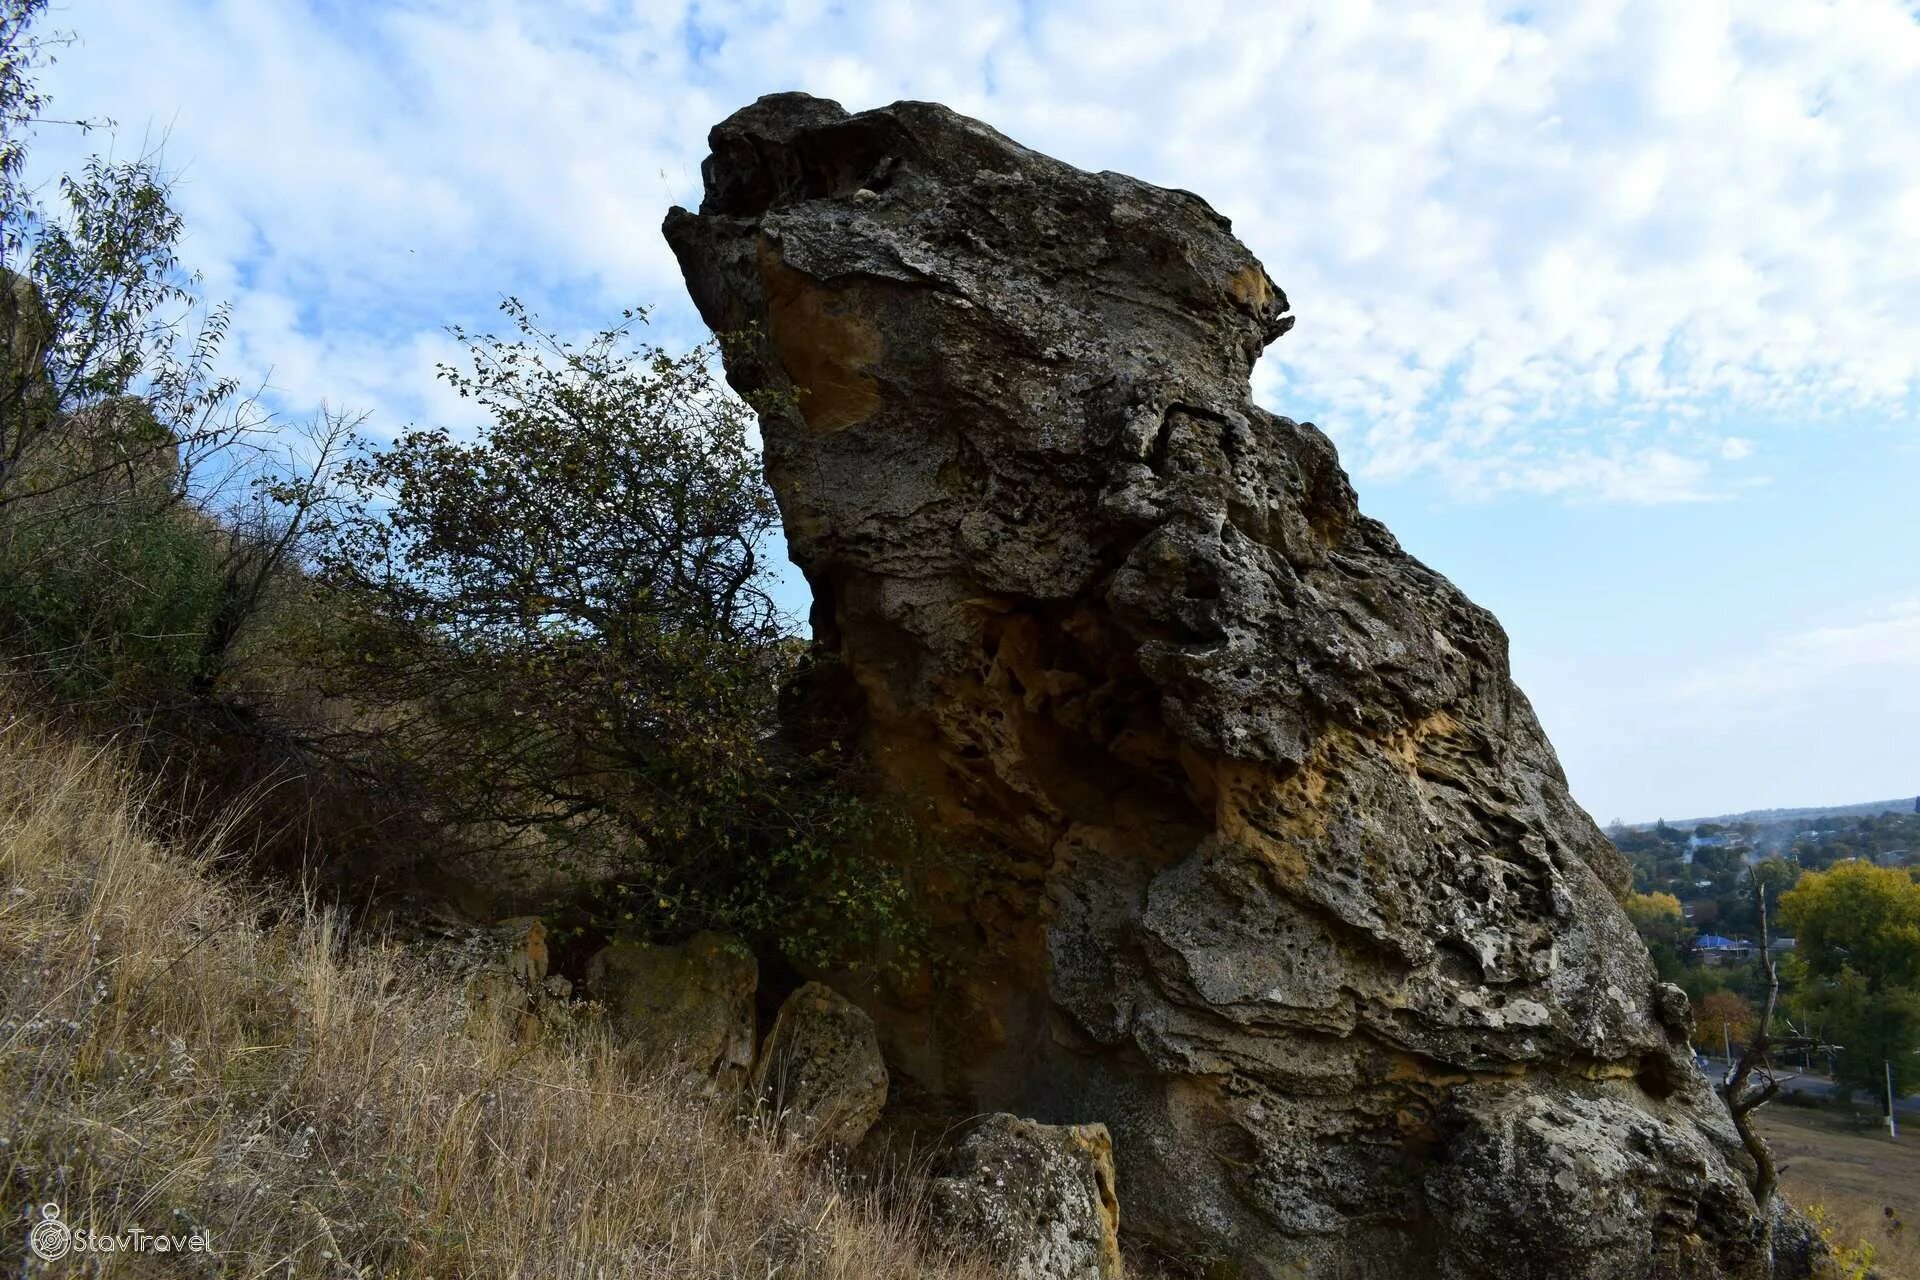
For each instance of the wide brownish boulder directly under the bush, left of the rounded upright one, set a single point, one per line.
(690, 1005)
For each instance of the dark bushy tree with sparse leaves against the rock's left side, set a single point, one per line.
(567, 634)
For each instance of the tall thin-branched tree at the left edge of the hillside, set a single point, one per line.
(143, 511)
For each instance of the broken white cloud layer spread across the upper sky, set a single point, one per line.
(1539, 254)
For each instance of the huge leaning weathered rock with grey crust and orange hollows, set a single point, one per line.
(1255, 851)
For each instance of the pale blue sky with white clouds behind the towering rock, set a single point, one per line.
(1614, 310)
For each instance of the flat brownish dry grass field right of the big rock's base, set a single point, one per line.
(1856, 1181)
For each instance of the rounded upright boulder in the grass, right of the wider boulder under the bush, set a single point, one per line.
(821, 1070)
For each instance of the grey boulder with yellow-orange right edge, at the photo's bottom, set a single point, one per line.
(1038, 1198)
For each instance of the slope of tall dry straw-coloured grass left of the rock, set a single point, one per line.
(176, 1053)
